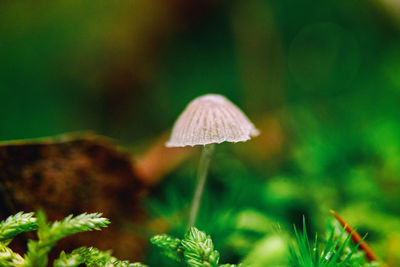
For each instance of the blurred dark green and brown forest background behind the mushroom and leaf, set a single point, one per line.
(320, 79)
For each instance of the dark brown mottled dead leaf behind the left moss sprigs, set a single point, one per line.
(72, 175)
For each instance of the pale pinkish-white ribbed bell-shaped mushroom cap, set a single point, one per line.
(211, 119)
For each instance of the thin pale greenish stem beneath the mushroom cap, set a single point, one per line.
(201, 181)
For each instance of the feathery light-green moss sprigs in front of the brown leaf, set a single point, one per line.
(48, 235)
